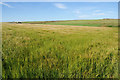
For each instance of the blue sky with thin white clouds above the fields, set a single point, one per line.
(47, 11)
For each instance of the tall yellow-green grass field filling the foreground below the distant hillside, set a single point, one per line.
(59, 51)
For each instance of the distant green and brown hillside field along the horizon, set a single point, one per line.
(98, 23)
